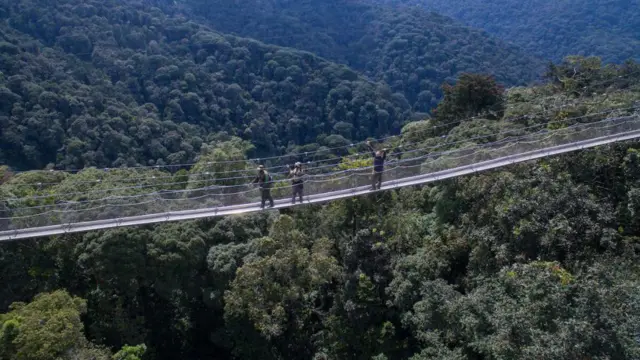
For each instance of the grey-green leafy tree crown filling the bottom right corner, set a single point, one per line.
(540, 310)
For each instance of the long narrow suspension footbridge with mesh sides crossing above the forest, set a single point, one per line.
(412, 167)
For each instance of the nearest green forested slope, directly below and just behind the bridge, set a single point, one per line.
(538, 260)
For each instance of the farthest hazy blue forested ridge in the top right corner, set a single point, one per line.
(551, 29)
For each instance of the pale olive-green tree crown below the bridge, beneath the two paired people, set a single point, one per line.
(277, 287)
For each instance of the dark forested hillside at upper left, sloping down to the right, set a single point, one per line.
(106, 83)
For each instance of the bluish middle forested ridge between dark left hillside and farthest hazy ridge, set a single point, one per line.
(413, 51)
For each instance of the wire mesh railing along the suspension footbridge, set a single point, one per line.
(17, 215)
